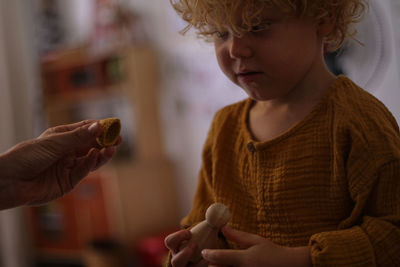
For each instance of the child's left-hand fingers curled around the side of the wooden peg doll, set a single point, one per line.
(181, 254)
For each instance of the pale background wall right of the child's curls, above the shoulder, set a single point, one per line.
(374, 64)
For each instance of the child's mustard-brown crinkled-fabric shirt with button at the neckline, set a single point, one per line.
(332, 181)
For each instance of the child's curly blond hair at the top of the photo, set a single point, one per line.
(208, 15)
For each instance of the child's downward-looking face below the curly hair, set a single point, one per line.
(269, 63)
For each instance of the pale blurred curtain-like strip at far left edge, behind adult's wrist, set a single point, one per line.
(18, 84)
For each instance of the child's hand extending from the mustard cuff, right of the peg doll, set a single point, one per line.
(257, 251)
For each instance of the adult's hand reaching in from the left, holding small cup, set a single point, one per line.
(43, 169)
